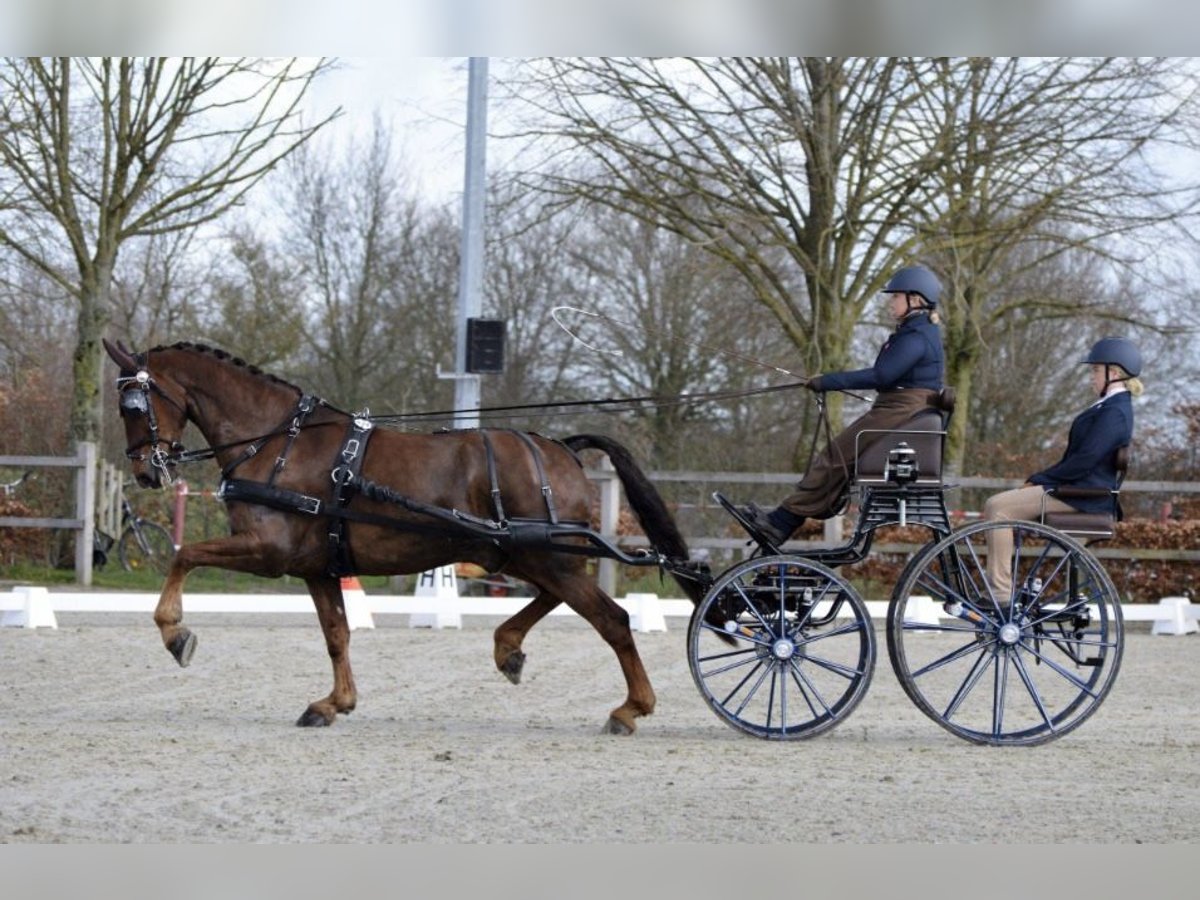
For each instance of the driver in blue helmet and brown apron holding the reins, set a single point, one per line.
(908, 374)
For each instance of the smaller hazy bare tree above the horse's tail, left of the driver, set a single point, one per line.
(673, 331)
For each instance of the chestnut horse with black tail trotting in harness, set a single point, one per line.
(269, 436)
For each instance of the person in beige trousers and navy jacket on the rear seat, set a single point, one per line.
(1090, 459)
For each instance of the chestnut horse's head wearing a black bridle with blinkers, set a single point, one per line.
(155, 412)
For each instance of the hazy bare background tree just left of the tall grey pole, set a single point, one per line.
(373, 277)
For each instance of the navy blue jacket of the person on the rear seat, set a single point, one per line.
(1089, 460)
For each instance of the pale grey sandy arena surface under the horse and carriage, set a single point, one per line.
(105, 739)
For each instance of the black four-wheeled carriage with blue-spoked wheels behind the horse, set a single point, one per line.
(783, 647)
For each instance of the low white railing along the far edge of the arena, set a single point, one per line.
(32, 607)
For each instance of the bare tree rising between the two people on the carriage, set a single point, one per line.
(1046, 169)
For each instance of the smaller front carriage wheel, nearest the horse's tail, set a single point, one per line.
(782, 647)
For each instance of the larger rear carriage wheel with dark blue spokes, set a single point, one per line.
(1024, 669)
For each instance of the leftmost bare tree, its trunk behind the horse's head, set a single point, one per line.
(98, 152)
